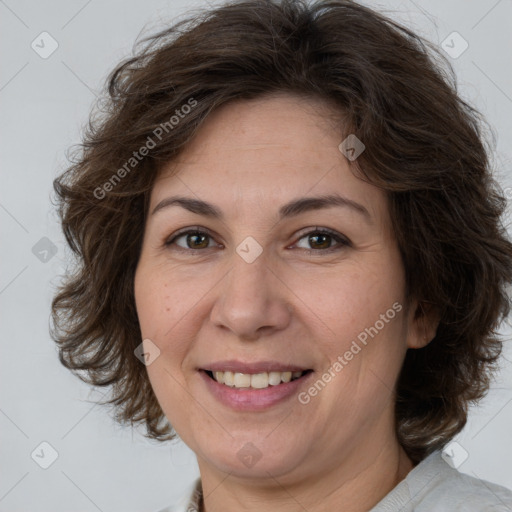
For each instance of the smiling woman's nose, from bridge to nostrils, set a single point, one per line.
(251, 300)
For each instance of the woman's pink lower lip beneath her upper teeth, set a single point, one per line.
(249, 399)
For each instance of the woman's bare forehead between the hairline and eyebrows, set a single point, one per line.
(266, 152)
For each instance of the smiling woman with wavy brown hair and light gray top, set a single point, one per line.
(290, 254)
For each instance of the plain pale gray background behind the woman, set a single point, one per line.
(45, 103)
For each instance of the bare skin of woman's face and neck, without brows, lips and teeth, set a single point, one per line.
(340, 449)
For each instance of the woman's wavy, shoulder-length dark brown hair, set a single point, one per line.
(424, 148)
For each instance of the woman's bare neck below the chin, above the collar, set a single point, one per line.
(357, 491)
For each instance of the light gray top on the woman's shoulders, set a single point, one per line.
(432, 486)
